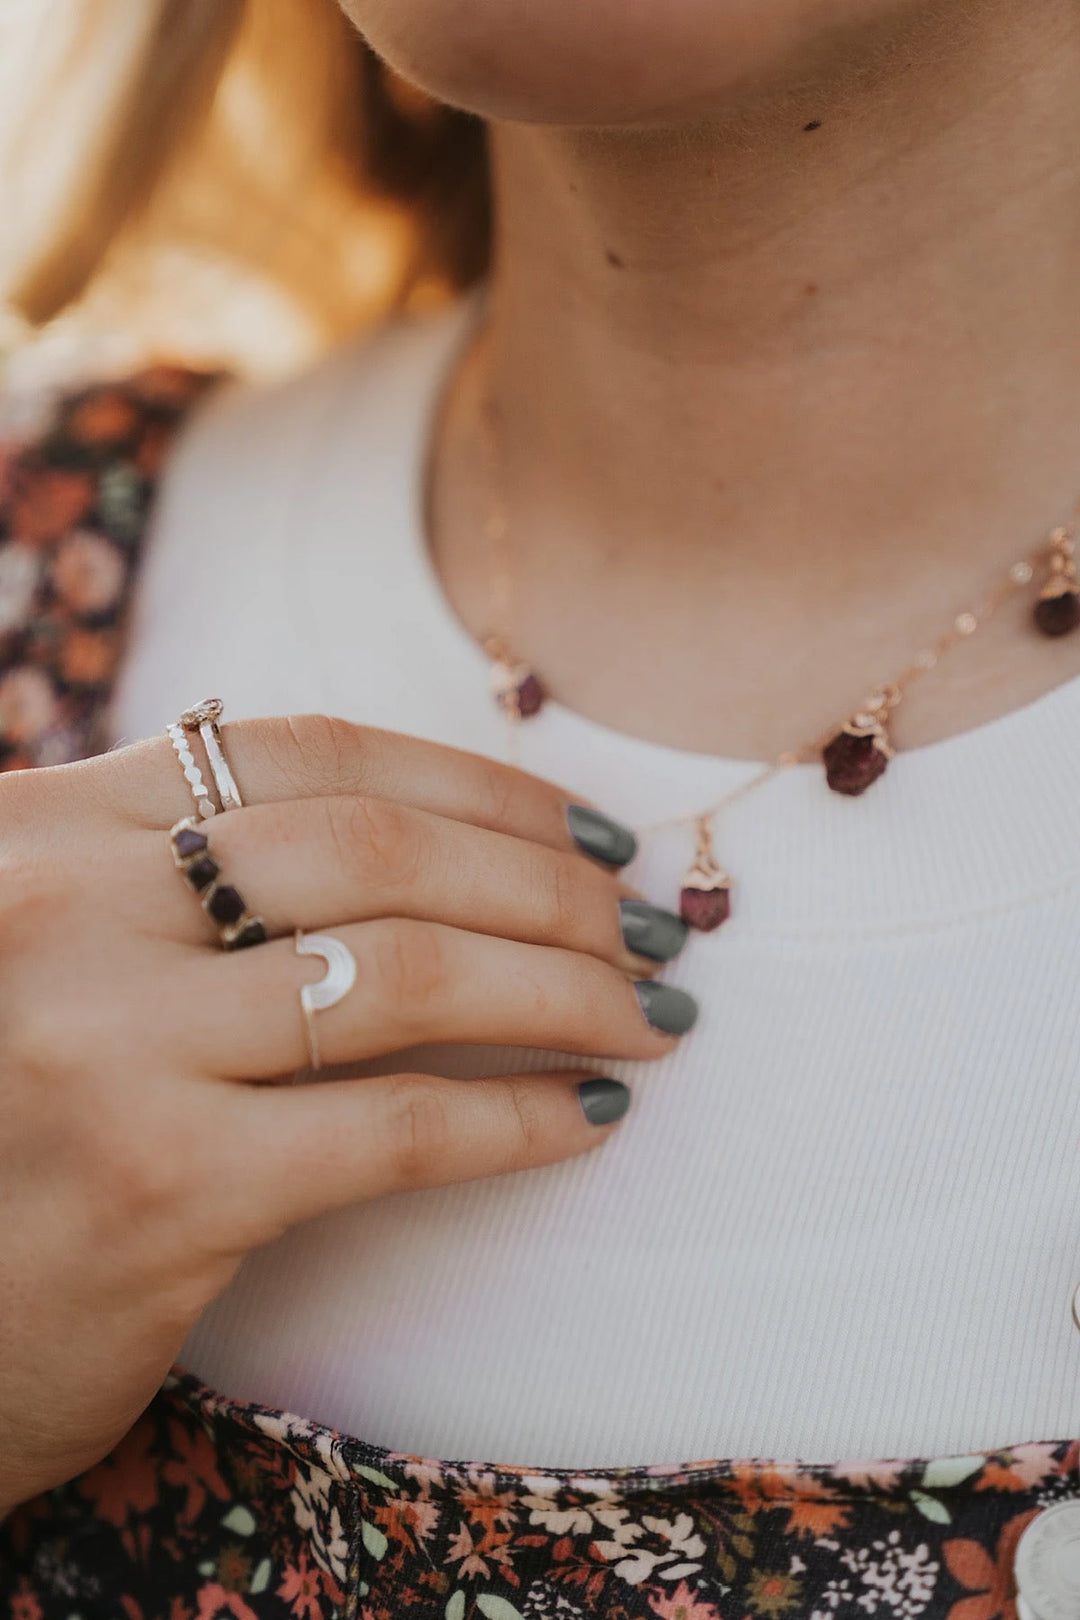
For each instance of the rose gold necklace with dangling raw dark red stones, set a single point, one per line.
(856, 754)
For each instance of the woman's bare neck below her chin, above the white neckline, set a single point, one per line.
(786, 388)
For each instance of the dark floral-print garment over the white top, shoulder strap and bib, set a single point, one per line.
(218, 1509)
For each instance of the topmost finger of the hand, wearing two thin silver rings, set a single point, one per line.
(315, 756)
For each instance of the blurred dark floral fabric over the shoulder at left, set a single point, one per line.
(74, 511)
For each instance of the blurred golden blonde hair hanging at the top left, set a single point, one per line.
(266, 132)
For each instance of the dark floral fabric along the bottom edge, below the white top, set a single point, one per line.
(215, 1509)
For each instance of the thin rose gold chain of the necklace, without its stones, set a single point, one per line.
(882, 702)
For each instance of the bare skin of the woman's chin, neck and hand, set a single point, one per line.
(783, 320)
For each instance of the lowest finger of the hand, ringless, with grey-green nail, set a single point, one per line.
(321, 1146)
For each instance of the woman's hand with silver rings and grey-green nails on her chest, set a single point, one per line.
(138, 1161)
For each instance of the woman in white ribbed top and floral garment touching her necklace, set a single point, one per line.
(767, 406)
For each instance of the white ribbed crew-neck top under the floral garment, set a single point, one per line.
(844, 1217)
